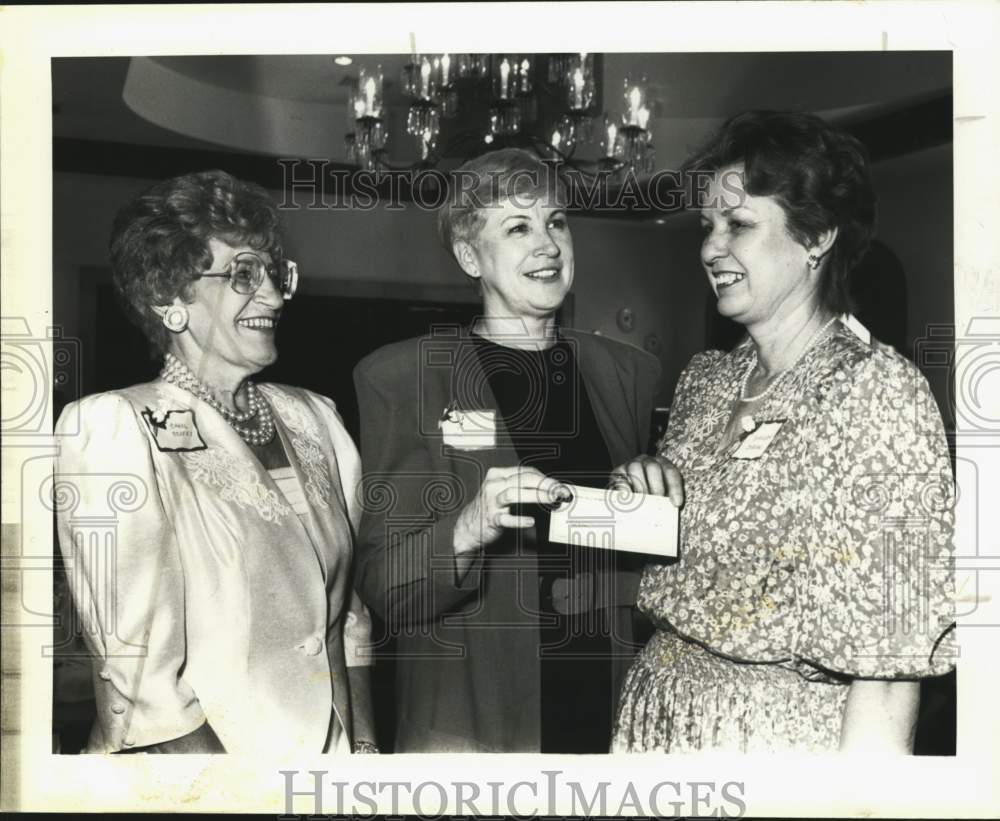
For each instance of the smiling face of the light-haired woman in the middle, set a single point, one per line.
(523, 257)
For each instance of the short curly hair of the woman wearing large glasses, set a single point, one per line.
(159, 240)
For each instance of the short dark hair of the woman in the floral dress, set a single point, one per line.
(819, 175)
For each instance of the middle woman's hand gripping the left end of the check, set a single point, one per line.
(485, 518)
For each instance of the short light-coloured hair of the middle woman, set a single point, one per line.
(486, 181)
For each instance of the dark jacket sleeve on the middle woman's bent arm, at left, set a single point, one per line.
(405, 562)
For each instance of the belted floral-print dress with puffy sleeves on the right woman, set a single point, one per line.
(827, 558)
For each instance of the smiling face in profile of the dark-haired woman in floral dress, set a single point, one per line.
(758, 271)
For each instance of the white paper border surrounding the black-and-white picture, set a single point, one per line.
(965, 785)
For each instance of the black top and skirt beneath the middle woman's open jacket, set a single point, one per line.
(543, 404)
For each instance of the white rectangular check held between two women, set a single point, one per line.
(617, 520)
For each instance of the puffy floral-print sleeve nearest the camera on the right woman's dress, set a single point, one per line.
(875, 507)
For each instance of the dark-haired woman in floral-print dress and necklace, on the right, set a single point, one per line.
(813, 587)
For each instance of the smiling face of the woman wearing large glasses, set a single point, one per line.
(229, 335)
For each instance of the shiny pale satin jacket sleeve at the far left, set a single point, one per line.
(125, 574)
